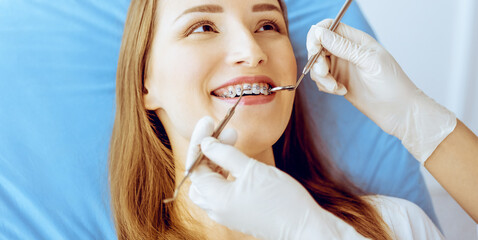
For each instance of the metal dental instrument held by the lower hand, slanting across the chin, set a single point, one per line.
(201, 156)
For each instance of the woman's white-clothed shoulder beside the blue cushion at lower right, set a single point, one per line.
(405, 219)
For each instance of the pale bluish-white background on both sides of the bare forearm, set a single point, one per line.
(436, 43)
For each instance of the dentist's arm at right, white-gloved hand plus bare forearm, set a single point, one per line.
(359, 68)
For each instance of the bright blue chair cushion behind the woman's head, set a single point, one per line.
(57, 85)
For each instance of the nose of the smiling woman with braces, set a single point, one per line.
(245, 50)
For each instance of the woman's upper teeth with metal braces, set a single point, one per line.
(246, 88)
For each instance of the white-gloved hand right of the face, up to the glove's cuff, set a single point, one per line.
(359, 68)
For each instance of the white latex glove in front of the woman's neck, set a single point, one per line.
(261, 201)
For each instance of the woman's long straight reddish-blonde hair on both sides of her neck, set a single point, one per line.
(142, 169)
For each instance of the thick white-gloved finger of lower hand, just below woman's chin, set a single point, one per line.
(228, 157)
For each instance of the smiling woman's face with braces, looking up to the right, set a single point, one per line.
(205, 48)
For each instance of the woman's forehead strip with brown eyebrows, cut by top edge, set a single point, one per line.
(176, 8)
